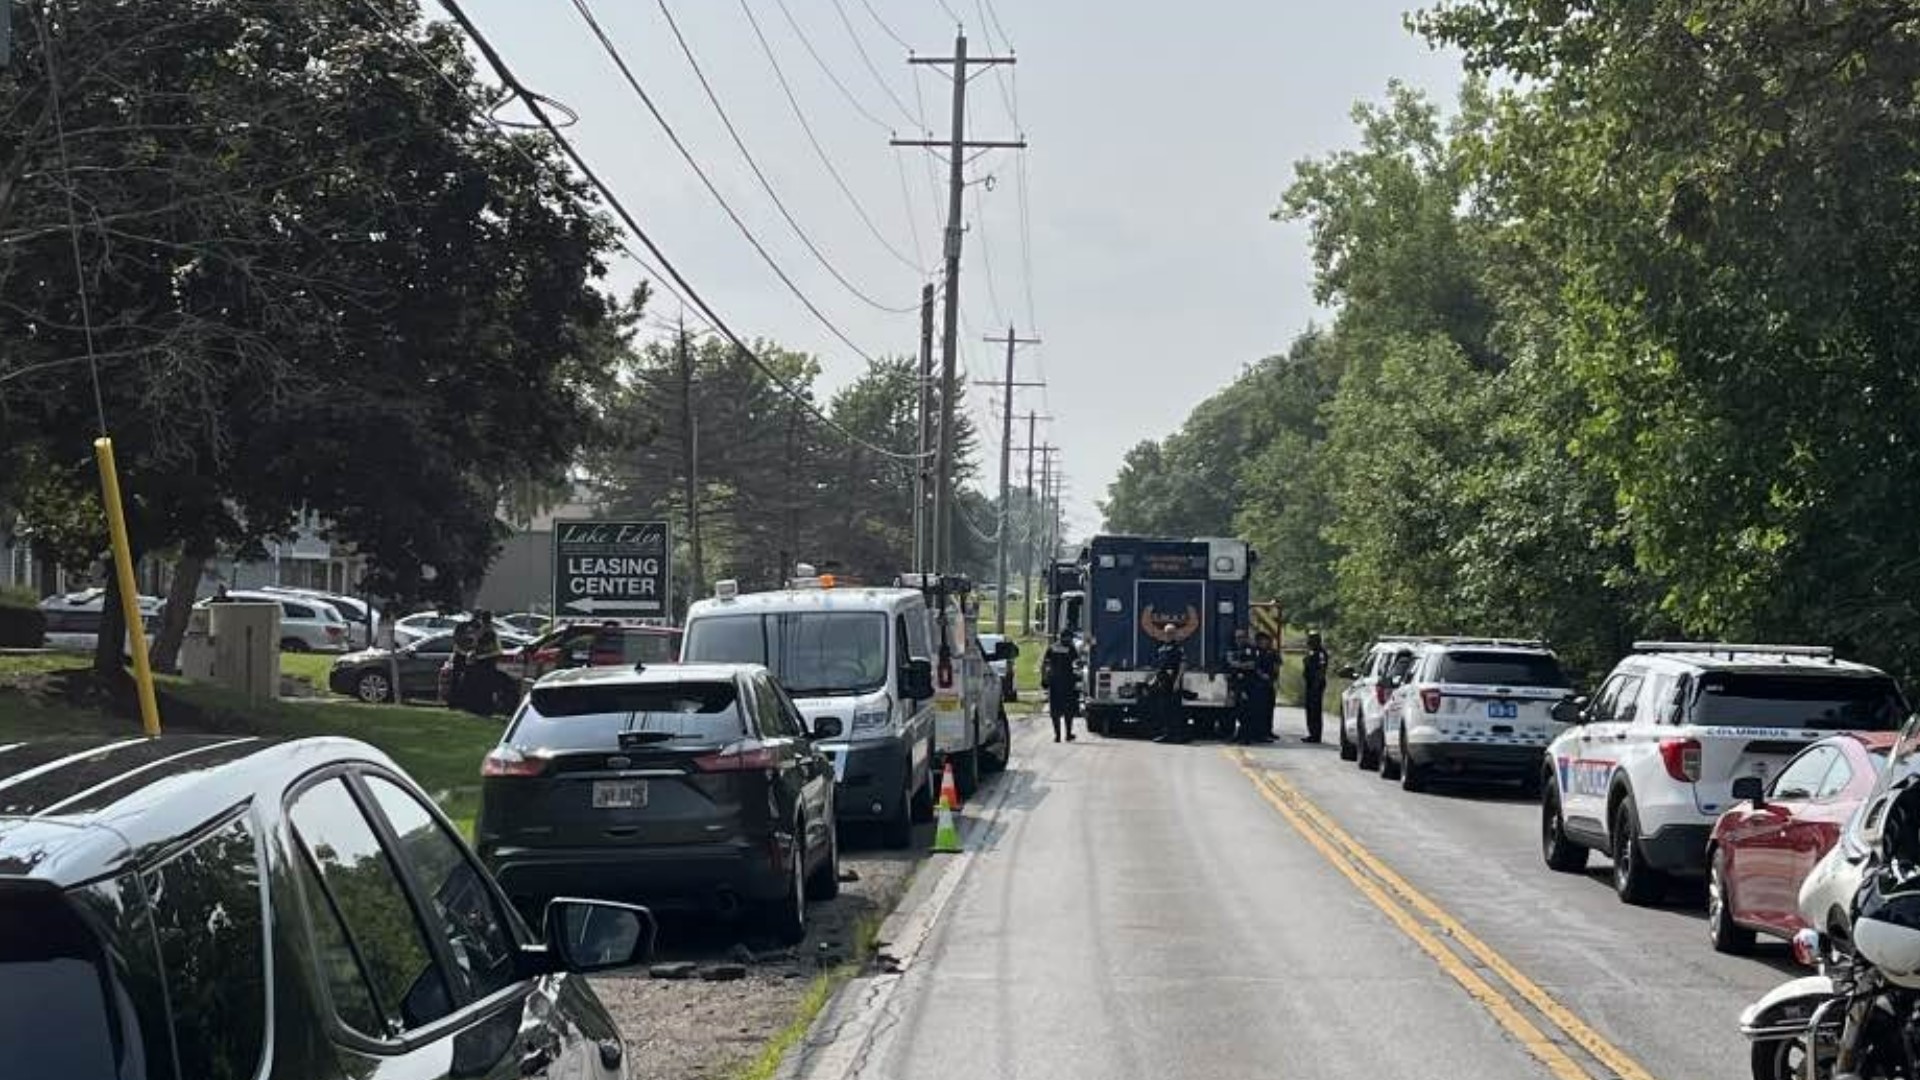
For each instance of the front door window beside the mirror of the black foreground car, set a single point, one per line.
(475, 931)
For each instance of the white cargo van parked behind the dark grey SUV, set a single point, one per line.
(863, 656)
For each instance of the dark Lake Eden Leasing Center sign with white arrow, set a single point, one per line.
(617, 570)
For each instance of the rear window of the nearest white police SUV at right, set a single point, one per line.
(1821, 702)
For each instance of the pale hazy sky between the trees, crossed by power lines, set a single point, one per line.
(1161, 139)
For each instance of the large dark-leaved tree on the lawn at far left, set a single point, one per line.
(316, 276)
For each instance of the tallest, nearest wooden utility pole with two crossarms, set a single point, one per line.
(955, 145)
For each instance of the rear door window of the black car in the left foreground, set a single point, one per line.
(360, 881)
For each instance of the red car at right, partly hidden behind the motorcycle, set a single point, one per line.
(1764, 848)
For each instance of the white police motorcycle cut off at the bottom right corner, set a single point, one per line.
(1860, 1018)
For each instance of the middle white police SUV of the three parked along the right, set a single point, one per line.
(1474, 708)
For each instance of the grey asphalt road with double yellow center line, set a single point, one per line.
(1136, 910)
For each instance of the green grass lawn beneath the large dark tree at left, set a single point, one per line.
(441, 749)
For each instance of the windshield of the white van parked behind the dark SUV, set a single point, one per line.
(811, 652)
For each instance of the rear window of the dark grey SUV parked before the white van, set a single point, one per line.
(588, 716)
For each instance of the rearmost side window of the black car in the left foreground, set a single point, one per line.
(210, 929)
